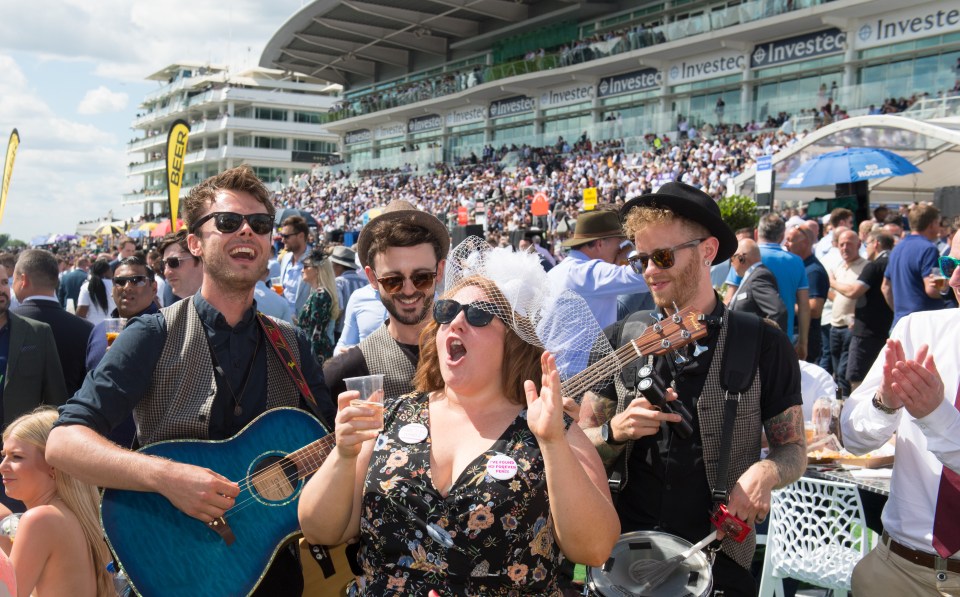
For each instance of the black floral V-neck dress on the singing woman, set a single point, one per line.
(489, 536)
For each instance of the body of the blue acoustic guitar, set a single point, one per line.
(165, 552)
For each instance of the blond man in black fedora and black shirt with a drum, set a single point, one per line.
(668, 479)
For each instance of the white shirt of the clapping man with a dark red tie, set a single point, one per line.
(924, 445)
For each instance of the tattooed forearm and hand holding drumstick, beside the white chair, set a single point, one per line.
(750, 497)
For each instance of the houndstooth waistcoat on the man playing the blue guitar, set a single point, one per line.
(183, 387)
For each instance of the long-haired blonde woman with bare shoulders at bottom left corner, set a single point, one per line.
(59, 548)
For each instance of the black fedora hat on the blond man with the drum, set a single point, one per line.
(692, 204)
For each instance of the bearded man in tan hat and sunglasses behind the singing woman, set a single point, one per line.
(402, 252)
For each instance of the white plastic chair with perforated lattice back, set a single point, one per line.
(817, 534)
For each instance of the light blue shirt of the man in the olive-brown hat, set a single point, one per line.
(597, 281)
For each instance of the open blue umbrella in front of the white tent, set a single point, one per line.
(849, 165)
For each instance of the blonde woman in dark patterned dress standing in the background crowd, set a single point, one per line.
(320, 312)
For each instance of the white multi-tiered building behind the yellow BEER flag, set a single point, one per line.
(265, 118)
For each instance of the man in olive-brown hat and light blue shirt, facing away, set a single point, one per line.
(591, 270)
